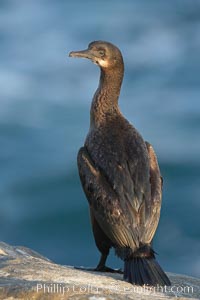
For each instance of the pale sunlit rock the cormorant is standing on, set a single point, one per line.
(25, 274)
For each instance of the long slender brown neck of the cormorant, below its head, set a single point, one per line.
(105, 100)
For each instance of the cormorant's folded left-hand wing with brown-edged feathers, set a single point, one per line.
(115, 219)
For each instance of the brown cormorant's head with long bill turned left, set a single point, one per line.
(104, 54)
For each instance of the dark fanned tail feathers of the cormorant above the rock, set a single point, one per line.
(145, 270)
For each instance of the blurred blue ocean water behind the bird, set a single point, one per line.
(44, 117)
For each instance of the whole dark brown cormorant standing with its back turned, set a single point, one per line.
(120, 176)
